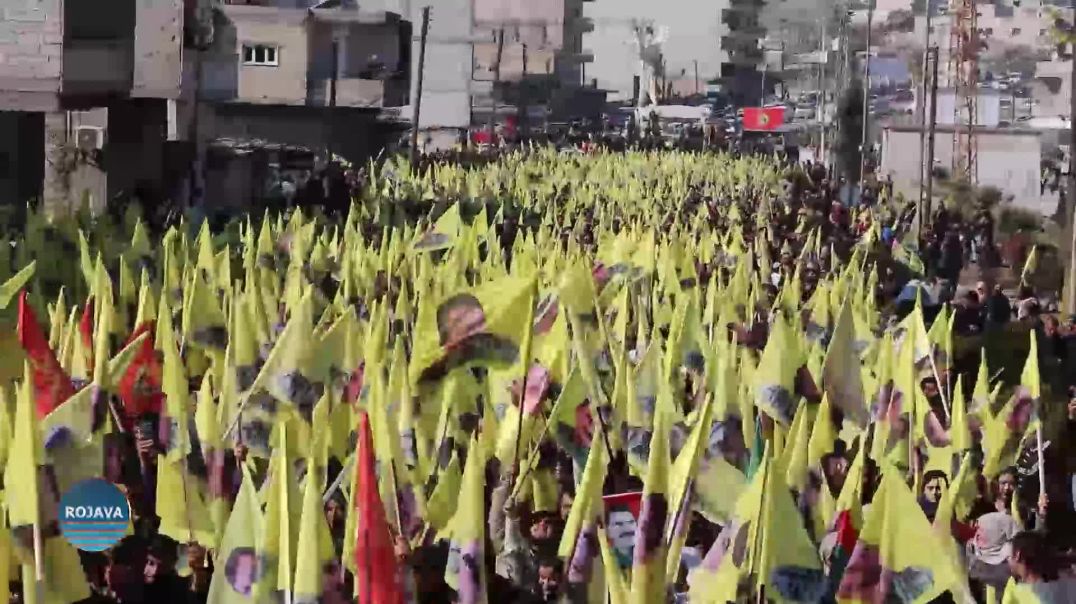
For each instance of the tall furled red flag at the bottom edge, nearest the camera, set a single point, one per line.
(377, 578)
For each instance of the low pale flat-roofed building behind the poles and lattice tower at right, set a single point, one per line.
(1008, 159)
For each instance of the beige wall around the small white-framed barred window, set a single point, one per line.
(282, 85)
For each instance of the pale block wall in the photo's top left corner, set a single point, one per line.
(32, 50)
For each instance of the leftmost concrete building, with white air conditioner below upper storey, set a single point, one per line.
(61, 60)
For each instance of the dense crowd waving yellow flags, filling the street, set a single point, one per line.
(626, 378)
